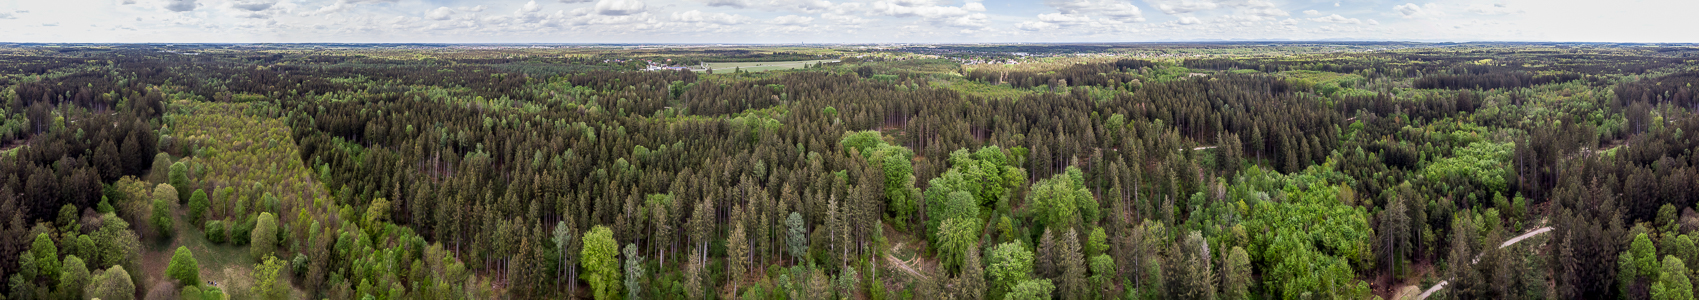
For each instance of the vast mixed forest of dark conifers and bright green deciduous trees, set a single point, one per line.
(1076, 172)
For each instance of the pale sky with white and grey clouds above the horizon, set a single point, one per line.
(842, 21)
